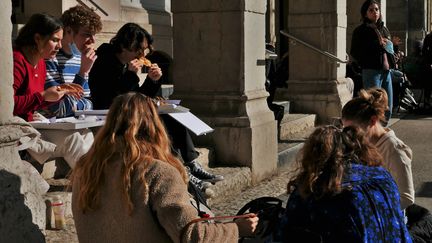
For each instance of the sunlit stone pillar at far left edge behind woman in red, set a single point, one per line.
(22, 208)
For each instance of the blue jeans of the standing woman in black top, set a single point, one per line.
(381, 79)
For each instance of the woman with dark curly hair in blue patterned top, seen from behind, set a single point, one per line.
(341, 193)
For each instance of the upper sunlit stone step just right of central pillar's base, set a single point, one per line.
(293, 124)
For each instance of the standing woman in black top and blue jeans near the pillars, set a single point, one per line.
(372, 49)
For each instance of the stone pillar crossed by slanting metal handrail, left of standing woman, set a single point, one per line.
(316, 83)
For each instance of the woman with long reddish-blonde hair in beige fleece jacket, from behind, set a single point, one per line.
(130, 188)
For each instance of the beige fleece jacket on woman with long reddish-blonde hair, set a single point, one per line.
(159, 214)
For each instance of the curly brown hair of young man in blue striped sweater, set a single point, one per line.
(80, 16)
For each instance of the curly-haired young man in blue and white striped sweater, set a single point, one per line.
(74, 59)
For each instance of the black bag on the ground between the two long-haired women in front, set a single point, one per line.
(269, 211)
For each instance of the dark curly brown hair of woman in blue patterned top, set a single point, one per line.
(324, 157)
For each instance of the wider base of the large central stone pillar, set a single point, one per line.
(248, 139)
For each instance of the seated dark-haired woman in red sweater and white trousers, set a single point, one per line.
(40, 39)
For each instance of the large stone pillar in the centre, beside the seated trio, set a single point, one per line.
(219, 74)
